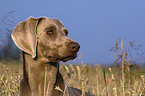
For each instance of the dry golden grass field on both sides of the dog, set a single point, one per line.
(122, 79)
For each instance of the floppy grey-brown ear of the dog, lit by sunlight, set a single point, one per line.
(24, 35)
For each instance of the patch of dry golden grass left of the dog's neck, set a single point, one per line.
(10, 75)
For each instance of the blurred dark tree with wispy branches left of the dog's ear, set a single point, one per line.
(7, 48)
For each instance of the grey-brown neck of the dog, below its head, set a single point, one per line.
(42, 77)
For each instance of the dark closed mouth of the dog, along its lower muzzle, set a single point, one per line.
(64, 59)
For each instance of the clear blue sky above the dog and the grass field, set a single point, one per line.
(95, 24)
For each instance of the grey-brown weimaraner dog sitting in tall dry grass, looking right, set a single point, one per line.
(44, 43)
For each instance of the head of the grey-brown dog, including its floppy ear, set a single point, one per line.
(45, 37)
